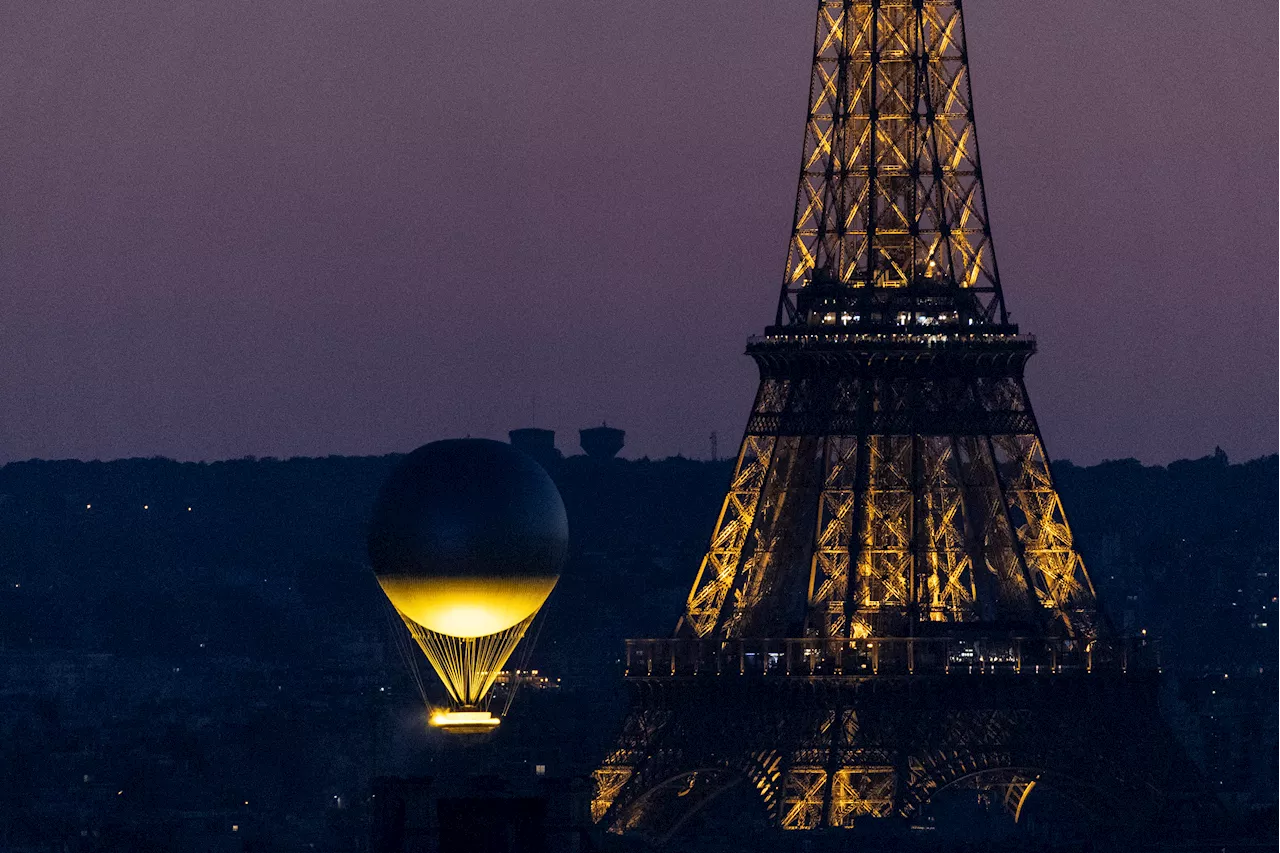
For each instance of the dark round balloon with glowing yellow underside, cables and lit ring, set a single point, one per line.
(468, 540)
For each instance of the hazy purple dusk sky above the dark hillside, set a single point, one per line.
(309, 227)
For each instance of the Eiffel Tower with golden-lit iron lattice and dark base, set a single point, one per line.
(893, 605)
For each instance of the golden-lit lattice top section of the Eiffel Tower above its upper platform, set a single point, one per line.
(892, 193)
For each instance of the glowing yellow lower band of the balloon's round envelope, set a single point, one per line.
(468, 608)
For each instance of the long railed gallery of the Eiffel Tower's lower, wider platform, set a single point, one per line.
(885, 658)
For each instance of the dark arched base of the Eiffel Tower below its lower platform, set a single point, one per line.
(829, 752)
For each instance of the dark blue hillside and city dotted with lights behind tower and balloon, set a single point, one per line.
(188, 649)
